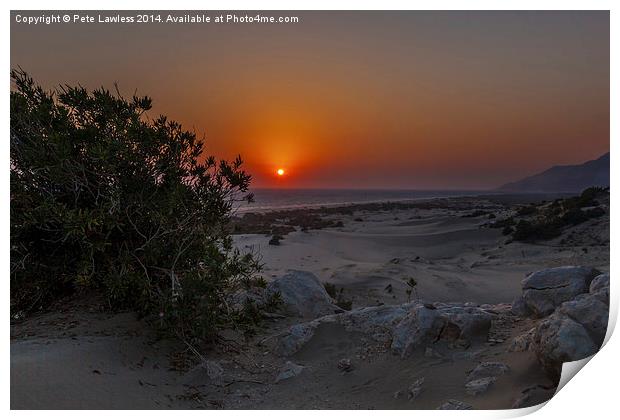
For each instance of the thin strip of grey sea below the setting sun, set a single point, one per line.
(266, 199)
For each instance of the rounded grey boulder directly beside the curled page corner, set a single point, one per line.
(559, 339)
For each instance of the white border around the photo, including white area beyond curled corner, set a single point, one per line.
(592, 394)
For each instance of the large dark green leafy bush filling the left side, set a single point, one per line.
(104, 198)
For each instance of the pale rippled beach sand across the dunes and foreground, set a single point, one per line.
(82, 358)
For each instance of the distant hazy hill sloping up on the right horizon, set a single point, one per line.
(565, 178)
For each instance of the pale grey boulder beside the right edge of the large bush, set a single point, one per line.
(302, 295)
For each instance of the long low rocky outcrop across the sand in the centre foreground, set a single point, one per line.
(405, 327)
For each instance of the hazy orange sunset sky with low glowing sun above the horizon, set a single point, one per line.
(404, 100)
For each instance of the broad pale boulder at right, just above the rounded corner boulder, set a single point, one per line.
(545, 290)
